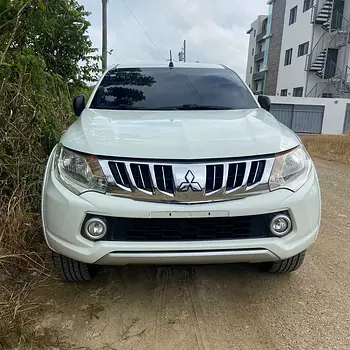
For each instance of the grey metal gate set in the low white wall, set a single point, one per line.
(300, 118)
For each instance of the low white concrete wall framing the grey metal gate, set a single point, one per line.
(334, 114)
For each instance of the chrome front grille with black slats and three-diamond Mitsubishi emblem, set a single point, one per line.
(185, 182)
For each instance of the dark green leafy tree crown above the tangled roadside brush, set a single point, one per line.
(54, 30)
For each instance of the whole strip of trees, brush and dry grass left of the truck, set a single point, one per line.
(46, 57)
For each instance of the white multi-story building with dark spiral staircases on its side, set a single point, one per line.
(311, 40)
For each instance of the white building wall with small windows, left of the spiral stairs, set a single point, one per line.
(294, 75)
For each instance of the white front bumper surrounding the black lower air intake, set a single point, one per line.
(63, 214)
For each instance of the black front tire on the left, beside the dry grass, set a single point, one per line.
(71, 270)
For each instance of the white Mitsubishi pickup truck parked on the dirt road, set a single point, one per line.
(177, 165)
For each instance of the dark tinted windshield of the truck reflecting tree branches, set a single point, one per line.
(172, 89)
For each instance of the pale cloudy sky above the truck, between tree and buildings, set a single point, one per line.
(215, 30)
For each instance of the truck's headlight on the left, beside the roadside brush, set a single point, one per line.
(78, 172)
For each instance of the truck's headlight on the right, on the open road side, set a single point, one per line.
(290, 170)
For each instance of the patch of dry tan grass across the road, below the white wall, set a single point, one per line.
(329, 147)
